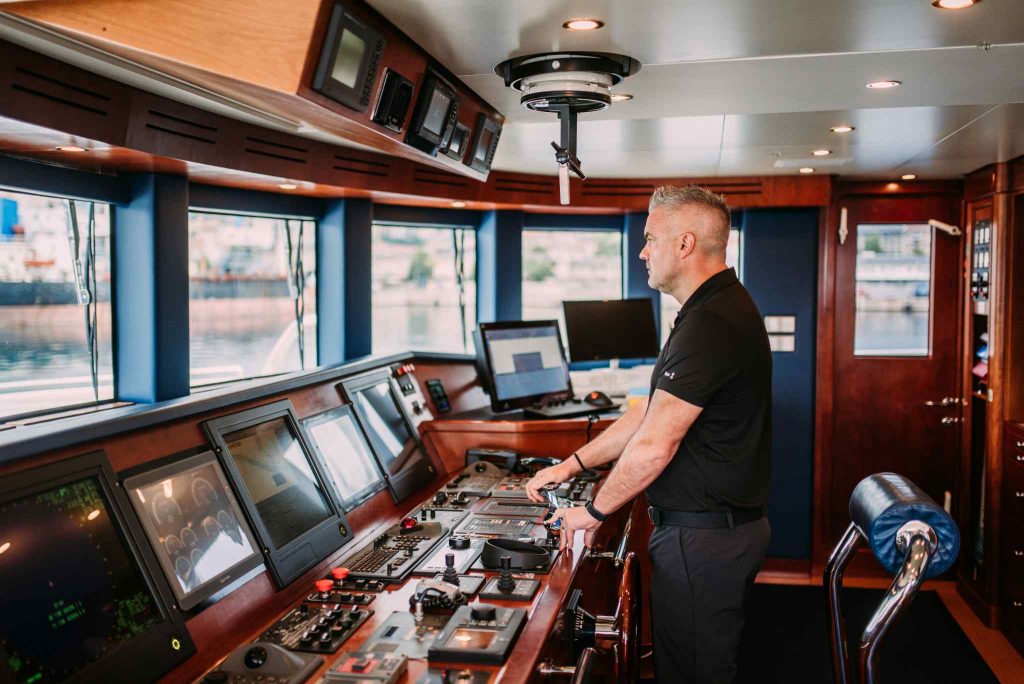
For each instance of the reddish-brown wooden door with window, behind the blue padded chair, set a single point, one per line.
(897, 358)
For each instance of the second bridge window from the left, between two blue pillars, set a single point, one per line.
(252, 290)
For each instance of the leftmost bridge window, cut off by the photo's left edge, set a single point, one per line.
(56, 349)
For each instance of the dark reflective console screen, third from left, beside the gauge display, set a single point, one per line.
(280, 480)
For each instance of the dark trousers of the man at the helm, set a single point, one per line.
(699, 589)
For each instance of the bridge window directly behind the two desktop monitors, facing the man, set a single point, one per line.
(561, 266)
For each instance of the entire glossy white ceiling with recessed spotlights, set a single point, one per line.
(763, 80)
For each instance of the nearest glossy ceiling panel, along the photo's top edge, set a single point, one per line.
(472, 36)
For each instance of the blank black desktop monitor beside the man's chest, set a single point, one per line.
(600, 331)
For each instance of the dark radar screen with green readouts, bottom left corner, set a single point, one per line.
(72, 592)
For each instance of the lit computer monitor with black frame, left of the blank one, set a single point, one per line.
(524, 363)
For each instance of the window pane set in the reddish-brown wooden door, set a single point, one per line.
(893, 290)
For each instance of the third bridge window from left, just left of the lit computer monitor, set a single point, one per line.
(424, 288)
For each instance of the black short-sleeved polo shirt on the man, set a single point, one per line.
(718, 358)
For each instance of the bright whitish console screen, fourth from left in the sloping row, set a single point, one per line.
(344, 449)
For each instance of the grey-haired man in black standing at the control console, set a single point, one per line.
(699, 447)
